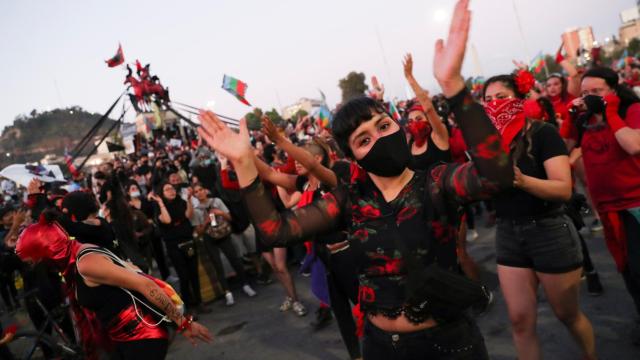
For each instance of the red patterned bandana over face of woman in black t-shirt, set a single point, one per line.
(507, 115)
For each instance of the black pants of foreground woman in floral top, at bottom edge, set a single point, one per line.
(458, 340)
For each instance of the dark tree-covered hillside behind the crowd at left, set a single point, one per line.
(32, 137)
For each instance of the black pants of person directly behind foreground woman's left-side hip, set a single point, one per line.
(342, 279)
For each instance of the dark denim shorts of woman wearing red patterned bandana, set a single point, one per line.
(545, 244)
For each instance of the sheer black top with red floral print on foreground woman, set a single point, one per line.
(424, 216)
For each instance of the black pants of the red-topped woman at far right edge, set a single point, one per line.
(631, 273)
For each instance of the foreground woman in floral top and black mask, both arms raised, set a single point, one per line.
(399, 221)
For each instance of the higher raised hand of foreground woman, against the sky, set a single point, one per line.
(447, 61)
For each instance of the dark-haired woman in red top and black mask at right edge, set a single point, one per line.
(607, 131)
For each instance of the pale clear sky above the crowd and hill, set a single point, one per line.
(53, 51)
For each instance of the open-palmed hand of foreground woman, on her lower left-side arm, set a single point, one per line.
(235, 146)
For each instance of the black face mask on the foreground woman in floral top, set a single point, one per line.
(388, 157)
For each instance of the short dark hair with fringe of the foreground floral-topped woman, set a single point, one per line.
(353, 113)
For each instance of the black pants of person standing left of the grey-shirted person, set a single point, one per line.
(187, 269)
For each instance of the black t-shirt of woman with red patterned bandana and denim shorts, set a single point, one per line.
(516, 203)
